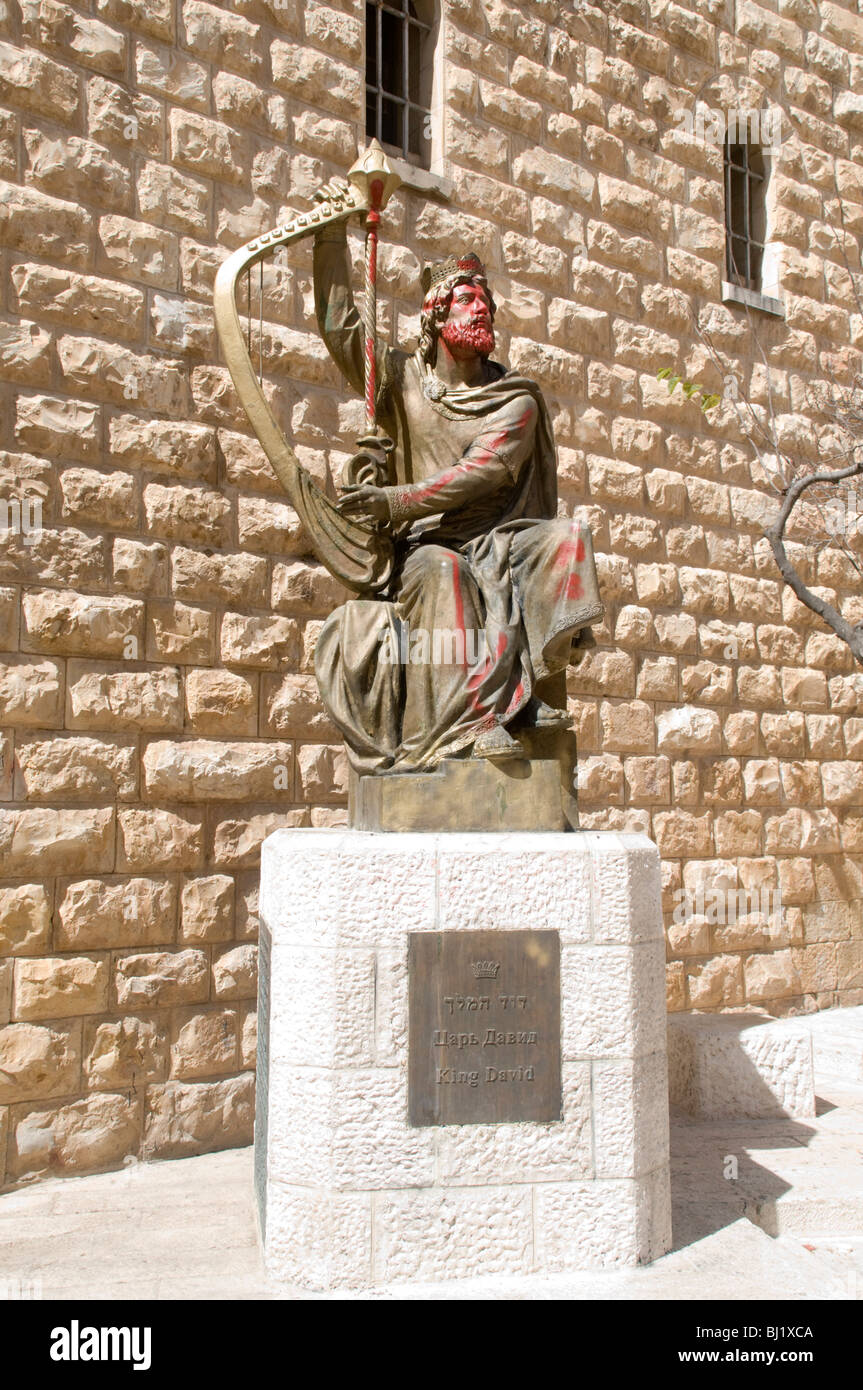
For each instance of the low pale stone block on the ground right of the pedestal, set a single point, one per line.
(740, 1065)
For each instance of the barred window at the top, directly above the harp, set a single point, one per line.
(400, 58)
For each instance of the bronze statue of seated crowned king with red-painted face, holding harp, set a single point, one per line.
(473, 590)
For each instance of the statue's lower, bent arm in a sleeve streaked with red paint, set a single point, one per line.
(491, 462)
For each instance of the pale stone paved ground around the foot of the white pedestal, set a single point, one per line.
(789, 1227)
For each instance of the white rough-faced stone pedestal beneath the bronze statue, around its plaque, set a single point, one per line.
(351, 1195)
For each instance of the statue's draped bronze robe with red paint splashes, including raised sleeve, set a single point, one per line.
(490, 587)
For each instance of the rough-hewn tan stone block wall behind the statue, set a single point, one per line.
(158, 708)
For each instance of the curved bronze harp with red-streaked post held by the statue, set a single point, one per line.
(358, 554)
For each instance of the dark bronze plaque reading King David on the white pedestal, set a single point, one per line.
(484, 1035)
